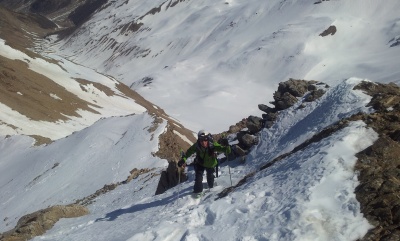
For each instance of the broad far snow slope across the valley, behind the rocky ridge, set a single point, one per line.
(220, 56)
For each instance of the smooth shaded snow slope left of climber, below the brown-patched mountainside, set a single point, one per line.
(32, 178)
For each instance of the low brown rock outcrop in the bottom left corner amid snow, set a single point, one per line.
(39, 222)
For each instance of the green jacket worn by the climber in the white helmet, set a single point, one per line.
(206, 156)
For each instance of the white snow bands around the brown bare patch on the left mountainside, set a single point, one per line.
(64, 73)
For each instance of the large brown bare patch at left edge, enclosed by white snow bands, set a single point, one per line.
(36, 96)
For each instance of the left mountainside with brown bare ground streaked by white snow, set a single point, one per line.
(48, 92)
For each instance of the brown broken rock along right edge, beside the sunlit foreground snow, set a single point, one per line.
(379, 165)
